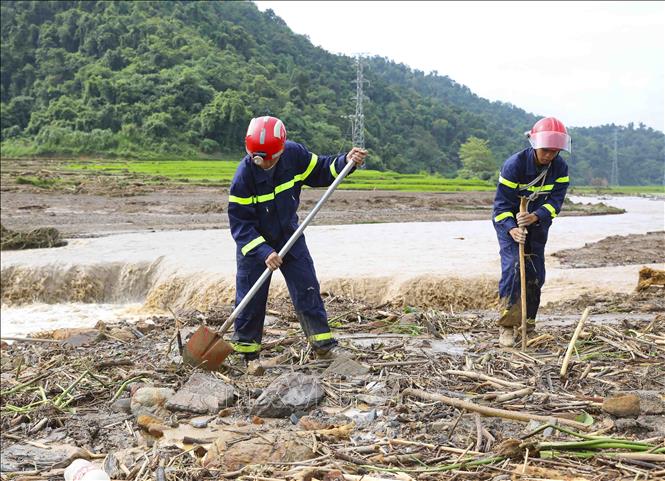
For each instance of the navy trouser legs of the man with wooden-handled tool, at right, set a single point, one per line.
(509, 285)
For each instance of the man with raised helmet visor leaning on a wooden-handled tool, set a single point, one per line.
(540, 174)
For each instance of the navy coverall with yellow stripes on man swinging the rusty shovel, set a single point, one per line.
(262, 215)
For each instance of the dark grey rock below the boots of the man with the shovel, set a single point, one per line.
(288, 393)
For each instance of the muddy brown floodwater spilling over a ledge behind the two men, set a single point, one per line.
(126, 276)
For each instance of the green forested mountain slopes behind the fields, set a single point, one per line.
(183, 78)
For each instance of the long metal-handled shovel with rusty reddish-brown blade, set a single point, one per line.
(206, 348)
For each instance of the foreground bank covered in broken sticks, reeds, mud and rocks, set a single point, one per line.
(424, 395)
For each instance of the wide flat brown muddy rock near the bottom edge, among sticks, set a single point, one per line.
(271, 447)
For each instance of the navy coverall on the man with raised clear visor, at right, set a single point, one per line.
(547, 196)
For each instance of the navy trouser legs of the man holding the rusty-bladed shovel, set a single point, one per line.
(305, 293)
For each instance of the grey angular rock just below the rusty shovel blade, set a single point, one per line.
(202, 393)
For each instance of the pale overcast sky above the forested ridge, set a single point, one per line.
(586, 63)
